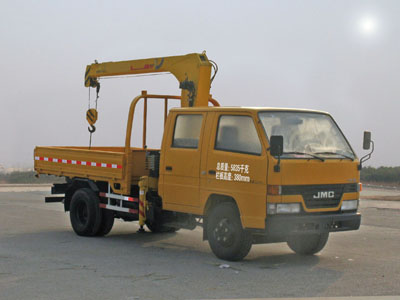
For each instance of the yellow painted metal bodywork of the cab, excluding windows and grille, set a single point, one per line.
(251, 197)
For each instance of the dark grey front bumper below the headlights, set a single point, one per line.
(284, 225)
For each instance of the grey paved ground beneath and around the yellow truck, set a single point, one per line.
(41, 258)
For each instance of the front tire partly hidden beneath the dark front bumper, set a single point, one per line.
(308, 244)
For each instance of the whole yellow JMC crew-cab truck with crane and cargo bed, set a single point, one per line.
(246, 175)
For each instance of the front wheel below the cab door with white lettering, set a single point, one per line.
(226, 236)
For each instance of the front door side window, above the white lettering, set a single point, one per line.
(237, 134)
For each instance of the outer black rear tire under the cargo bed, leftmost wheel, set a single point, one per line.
(85, 214)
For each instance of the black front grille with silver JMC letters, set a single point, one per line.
(320, 196)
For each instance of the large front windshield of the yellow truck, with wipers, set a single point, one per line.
(307, 133)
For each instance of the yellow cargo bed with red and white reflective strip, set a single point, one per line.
(110, 164)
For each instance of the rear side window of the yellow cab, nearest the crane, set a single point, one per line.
(187, 131)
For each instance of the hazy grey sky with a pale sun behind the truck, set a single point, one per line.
(338, 56)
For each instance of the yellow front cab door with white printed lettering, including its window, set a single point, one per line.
(237, 165)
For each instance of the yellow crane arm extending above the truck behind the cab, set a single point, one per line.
(193, 72)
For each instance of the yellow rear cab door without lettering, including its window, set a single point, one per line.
(181, 163)
